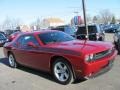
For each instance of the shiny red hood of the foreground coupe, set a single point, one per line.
(82, 46)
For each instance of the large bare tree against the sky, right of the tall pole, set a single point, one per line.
(106, 16)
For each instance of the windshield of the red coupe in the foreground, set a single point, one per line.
(52, 37)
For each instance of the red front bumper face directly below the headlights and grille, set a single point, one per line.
(100, 65)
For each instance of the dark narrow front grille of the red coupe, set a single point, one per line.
(103, 54)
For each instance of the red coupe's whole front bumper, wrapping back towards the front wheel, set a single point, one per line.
(97, 67)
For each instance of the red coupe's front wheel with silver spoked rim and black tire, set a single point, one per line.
(63, 72)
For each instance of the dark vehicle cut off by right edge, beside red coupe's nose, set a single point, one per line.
(117, 39)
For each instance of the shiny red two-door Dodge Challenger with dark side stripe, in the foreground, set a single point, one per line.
(60, 54)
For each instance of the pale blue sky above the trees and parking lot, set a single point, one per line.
(29, 10)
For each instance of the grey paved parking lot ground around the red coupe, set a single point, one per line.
(24, 78)
